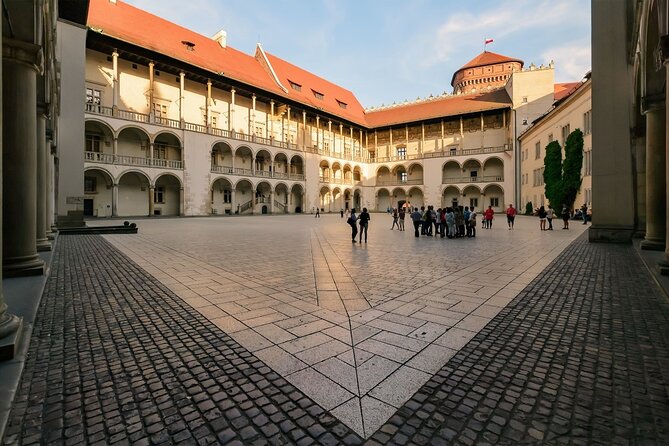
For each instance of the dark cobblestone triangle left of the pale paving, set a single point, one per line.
(116, 358)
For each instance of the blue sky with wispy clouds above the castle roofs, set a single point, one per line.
(388, 51)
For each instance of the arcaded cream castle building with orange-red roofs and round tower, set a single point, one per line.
(177, 123)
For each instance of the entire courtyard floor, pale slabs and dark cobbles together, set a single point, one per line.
(279, 330)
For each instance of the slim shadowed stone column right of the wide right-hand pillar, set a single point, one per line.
(656, 152)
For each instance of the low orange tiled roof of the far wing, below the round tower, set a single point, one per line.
(448, 106)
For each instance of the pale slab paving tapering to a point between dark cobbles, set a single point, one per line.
(359, 328)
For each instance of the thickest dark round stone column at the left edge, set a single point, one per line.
(19, 151)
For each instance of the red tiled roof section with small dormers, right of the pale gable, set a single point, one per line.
(310, 83)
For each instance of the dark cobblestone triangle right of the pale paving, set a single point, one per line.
(581, 356)
